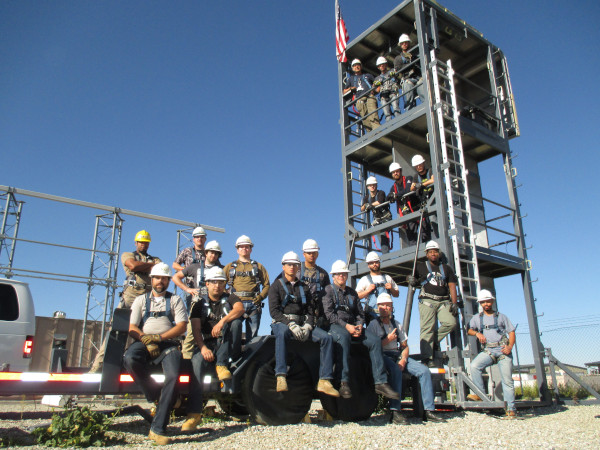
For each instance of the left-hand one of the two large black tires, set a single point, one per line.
(269, 407)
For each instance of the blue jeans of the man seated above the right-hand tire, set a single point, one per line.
(343, 339)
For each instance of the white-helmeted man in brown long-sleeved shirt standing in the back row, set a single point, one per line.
(244, 277)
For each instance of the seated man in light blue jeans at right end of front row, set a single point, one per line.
(395, 356)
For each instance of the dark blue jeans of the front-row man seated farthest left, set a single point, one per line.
(137, 362)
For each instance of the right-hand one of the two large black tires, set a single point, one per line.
(363, 401)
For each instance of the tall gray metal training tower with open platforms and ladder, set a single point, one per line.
(467, 117)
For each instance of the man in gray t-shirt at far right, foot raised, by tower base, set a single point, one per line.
(491, 330)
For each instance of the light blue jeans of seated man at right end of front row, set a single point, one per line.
(414, 368)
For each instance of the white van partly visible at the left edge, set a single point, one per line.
(17, 326)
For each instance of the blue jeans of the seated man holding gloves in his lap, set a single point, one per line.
(282, 334)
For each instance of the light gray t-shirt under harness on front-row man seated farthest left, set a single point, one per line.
(157, 325)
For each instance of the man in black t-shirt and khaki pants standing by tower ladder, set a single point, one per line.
(437, 300)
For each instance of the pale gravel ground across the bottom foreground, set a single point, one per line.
(561, 427)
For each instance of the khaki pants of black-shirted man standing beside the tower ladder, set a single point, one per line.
(431, 311)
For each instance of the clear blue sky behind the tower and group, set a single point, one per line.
(226, 113)
